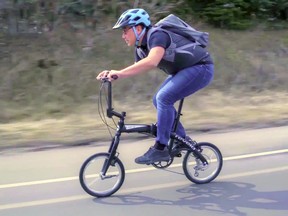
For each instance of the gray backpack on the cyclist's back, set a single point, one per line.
(176, 25)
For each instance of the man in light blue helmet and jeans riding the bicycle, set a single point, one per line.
(188, 71)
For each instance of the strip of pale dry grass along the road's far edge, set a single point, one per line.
(204, 112)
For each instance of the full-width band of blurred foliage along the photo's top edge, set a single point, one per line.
(229, 14)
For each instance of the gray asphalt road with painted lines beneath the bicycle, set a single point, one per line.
(253, 181)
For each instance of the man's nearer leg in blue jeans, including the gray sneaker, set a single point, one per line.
(183, 84)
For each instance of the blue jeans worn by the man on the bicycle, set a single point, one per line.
(174, 88)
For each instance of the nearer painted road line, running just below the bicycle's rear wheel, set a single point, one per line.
(133, 190)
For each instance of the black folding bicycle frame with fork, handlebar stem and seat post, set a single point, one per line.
(142, 128)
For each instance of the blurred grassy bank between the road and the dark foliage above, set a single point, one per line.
(56, 101)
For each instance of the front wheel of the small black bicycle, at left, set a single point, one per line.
(94, 182)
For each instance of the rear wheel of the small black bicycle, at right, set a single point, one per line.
(198, 172)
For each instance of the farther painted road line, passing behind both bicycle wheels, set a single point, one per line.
(48, 181)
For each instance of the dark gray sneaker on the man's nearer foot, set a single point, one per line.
(153, 155)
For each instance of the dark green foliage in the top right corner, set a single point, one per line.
(241, 14)
